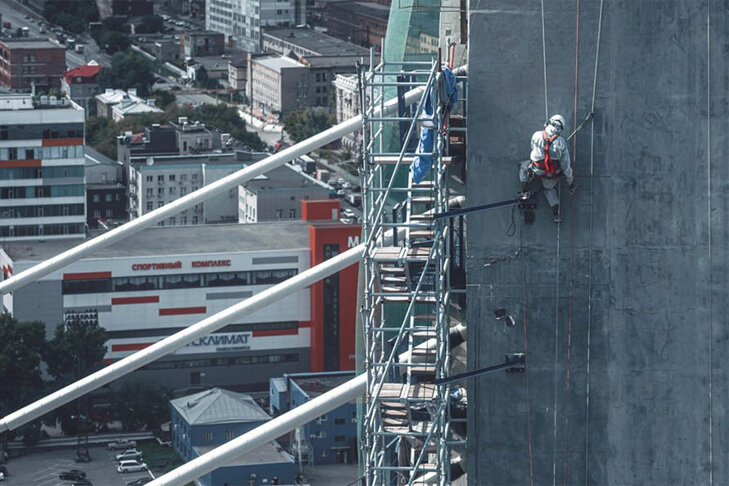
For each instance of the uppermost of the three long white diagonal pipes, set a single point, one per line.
(336, 132)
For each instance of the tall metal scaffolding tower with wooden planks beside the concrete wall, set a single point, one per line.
(407, 280)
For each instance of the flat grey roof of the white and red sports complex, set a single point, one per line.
(180, 240)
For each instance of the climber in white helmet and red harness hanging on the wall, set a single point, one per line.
(549, 160)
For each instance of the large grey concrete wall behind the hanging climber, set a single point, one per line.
(637, 269)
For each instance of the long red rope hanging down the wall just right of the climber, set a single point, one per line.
(572, 258)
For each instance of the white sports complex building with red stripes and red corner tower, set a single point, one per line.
(164, 279)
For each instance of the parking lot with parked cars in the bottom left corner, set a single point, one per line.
(43, 468)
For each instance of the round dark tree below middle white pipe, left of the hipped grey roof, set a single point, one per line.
(141, 405)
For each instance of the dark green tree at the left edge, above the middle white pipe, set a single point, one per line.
(21, 353)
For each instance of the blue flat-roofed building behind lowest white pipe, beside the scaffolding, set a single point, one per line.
(330, 439)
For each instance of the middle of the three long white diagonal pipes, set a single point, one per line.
(176, 341)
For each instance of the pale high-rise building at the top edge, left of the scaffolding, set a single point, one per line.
(242, 21)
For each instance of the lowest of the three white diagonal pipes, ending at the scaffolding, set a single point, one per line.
(265, 433)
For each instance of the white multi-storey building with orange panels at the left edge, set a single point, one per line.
(41, 168)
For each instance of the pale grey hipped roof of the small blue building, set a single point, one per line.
(218, 406)
